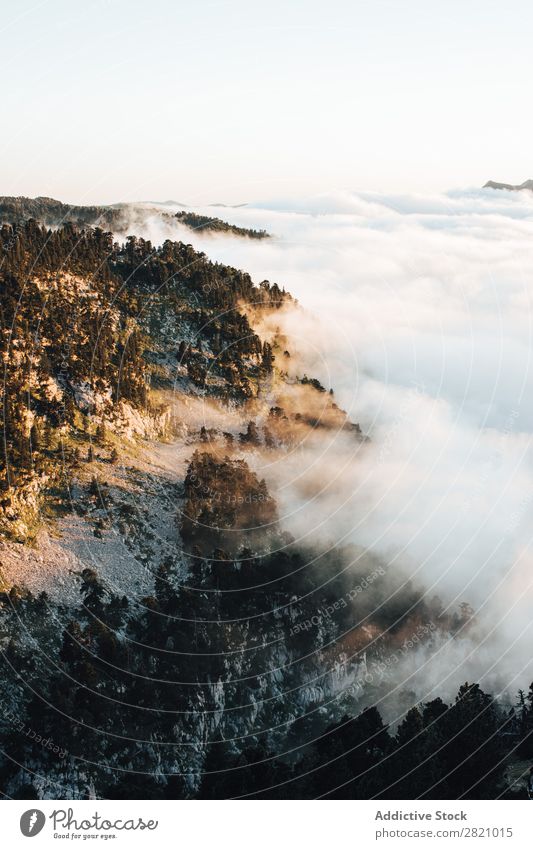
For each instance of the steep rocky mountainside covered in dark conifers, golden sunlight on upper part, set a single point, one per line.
(163, 634)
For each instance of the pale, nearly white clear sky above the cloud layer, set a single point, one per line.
(241, 101)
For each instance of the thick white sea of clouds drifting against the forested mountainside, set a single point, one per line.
(417, 310)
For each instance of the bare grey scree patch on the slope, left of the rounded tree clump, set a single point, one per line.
(124, 555)
